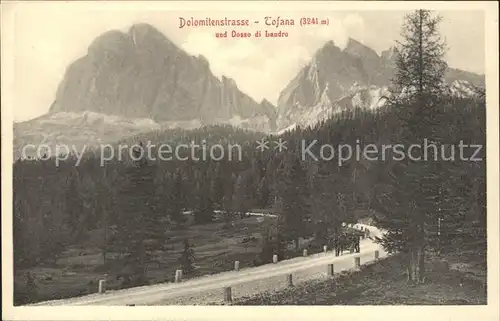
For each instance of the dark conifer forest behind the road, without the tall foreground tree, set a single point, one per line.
(133, 204)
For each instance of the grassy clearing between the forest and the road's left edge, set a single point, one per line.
(78, 270)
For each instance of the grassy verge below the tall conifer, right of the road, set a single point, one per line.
(462, 281)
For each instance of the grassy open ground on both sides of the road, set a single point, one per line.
(461, 281)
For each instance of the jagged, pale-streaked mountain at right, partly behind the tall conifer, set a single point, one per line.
(356, 76)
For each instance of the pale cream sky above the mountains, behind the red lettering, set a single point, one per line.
(50, 37)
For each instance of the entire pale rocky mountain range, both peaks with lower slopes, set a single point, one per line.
(140, 81)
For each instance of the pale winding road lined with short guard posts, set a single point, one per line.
(246, 282)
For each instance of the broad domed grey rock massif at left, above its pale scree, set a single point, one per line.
(142, 74)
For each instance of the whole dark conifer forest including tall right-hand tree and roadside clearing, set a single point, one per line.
(136, 219)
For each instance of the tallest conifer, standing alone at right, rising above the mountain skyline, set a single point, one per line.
(420, 76)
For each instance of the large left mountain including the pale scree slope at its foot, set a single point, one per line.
(135, 82)
